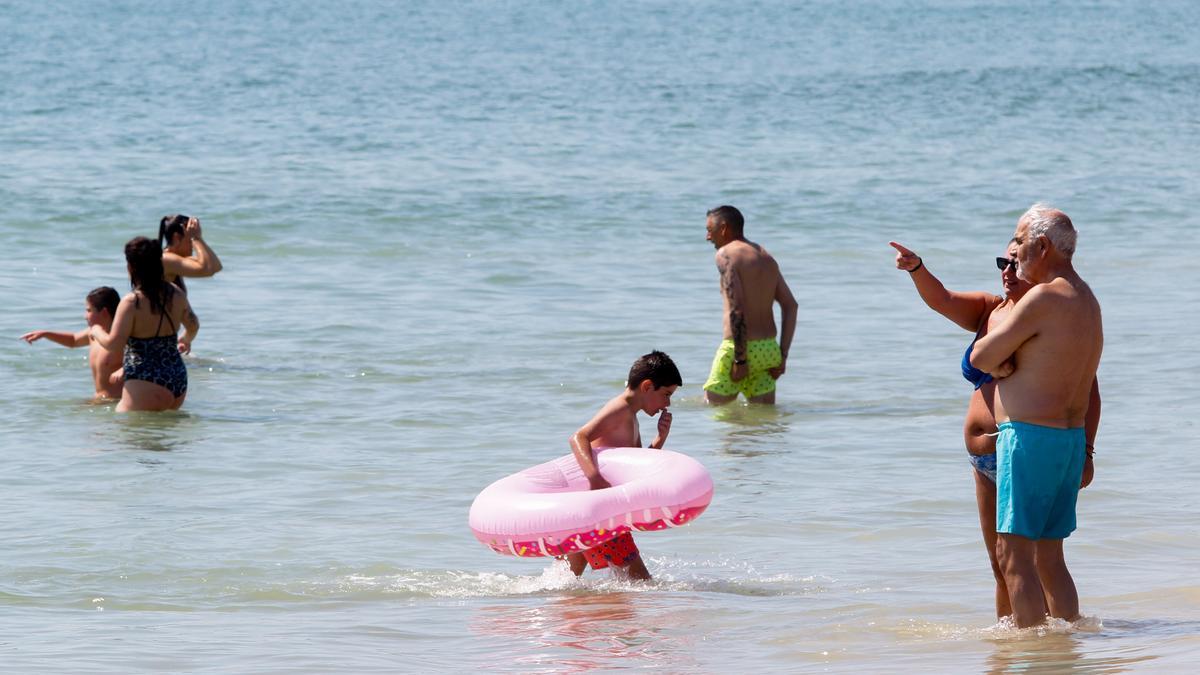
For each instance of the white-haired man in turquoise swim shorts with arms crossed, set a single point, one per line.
(1045, 357)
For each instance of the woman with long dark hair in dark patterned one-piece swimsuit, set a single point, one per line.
(147, 326)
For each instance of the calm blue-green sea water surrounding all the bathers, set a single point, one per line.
(449, 229)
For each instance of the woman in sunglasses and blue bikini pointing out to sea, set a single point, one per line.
(976, 312)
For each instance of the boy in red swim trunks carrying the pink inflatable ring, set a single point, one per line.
(652, 381)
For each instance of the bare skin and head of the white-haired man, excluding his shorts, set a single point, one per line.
(1045, 359)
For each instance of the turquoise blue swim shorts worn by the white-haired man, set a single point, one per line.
(1037, 480)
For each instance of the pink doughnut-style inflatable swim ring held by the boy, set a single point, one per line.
(549, 511)
